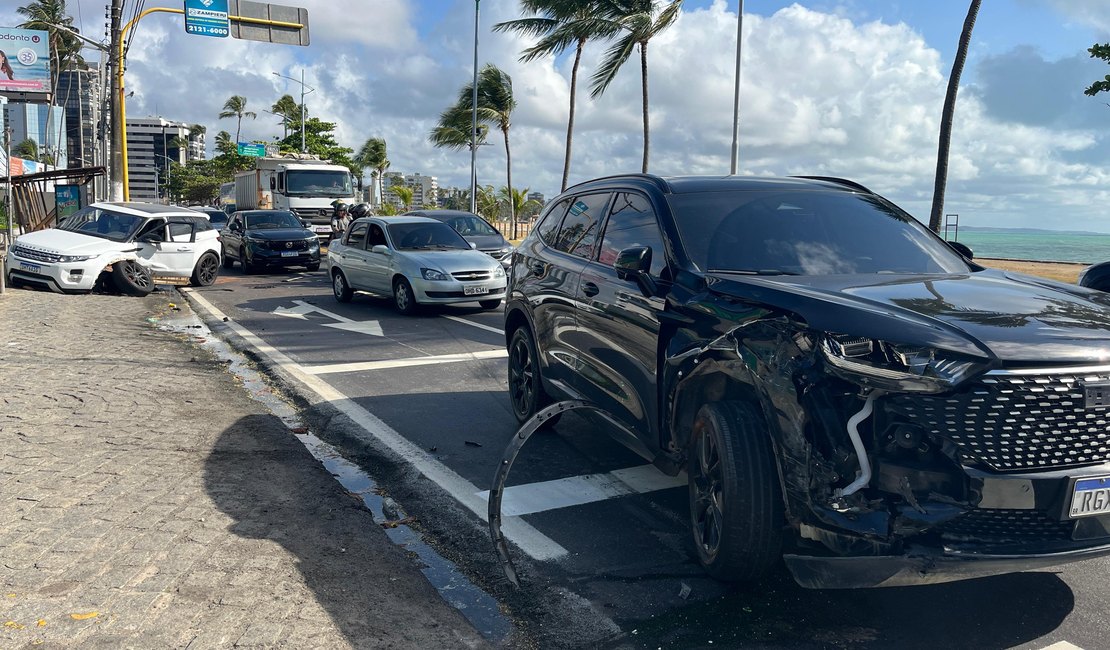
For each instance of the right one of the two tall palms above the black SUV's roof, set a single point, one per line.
(641, 21)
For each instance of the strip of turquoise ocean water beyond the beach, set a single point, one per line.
(1041, 246)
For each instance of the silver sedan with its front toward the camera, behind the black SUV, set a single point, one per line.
(418, 261)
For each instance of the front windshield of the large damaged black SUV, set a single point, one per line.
(806, 233)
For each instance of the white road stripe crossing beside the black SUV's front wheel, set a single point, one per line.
(577, 491)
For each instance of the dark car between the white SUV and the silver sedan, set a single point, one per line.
(269, 238)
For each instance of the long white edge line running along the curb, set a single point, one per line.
(530, 541)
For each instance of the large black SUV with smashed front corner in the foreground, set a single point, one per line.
(845, 390)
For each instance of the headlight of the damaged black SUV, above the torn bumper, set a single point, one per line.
(897, 368)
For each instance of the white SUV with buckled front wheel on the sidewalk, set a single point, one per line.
(126, 246)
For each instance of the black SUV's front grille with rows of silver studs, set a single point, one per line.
(1018, 422)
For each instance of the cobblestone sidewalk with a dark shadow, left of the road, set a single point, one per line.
(147, 502)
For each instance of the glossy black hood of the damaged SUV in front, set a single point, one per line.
(1016, 319)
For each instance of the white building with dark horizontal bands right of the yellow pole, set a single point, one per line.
(153, 145)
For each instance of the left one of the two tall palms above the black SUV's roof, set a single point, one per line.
(561, 24)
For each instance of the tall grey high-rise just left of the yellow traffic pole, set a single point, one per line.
(79, 94)
